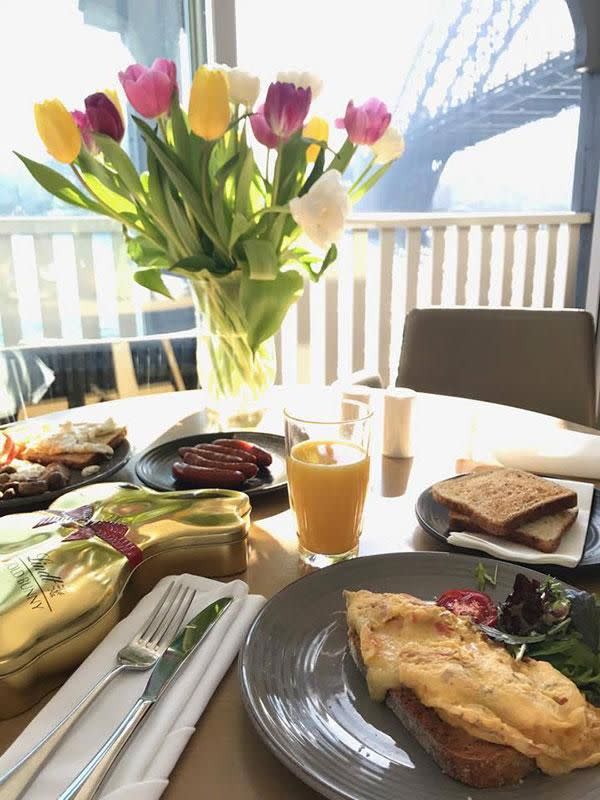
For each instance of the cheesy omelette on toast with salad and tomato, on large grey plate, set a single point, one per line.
(491, 692)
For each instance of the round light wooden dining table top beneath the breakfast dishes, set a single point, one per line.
(225, 758)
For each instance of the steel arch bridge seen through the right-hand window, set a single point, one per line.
(538, 92)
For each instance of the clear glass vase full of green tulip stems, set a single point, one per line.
(235, 378)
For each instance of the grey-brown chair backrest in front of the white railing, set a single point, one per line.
(538, 359)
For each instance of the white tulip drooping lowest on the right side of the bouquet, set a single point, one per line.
(322, 211)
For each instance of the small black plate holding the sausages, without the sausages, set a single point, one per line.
(154, 466)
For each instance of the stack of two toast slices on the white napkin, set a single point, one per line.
(509, 503)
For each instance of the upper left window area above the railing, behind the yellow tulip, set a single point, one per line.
(75, 47)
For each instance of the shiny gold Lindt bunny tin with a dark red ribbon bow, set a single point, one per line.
(68, 574)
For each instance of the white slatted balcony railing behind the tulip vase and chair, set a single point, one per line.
(69, 278)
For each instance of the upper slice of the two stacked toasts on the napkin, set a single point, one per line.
(500, 501)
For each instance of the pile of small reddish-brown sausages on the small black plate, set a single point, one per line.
(222, 463)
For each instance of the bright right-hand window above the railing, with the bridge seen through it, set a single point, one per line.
(475, 87)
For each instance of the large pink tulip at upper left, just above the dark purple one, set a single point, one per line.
(150, 89)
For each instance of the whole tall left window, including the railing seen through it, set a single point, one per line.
(65, 277)
